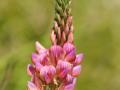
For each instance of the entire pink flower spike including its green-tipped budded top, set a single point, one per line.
(57, 67)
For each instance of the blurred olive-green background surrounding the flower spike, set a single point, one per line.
(97, 34)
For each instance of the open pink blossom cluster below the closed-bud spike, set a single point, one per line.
(55, 68)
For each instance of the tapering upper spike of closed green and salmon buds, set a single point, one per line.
(62, 30)
